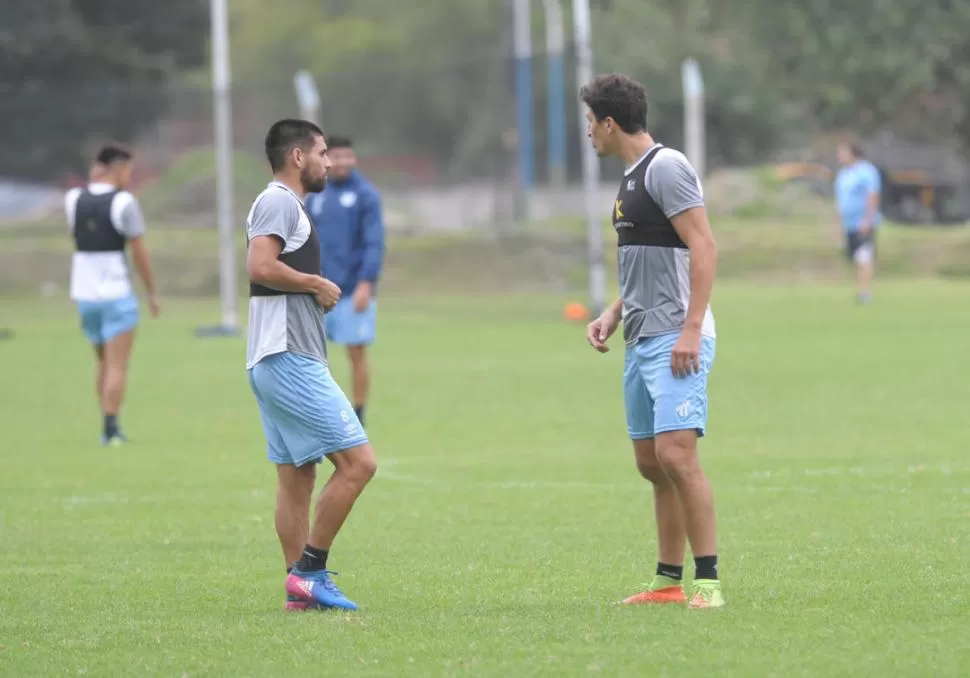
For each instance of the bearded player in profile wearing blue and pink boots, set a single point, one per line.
(305, 415)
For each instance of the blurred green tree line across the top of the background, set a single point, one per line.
(778, 71)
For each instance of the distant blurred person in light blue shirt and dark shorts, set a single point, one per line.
(857, 194)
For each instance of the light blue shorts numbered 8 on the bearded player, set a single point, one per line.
(305, 414)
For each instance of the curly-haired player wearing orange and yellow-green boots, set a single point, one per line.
(666, 263)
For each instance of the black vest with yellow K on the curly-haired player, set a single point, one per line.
(637, 217)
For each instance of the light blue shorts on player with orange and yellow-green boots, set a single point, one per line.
(657, 401)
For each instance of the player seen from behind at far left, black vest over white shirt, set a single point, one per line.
(105, 220)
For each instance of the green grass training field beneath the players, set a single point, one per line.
(507, 518)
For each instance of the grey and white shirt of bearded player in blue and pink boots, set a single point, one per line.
(283, 322)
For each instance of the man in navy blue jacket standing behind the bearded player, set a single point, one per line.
(348, 218)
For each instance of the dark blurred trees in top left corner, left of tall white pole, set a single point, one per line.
(73, 72)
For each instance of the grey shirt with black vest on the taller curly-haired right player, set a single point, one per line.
(653, 263)
